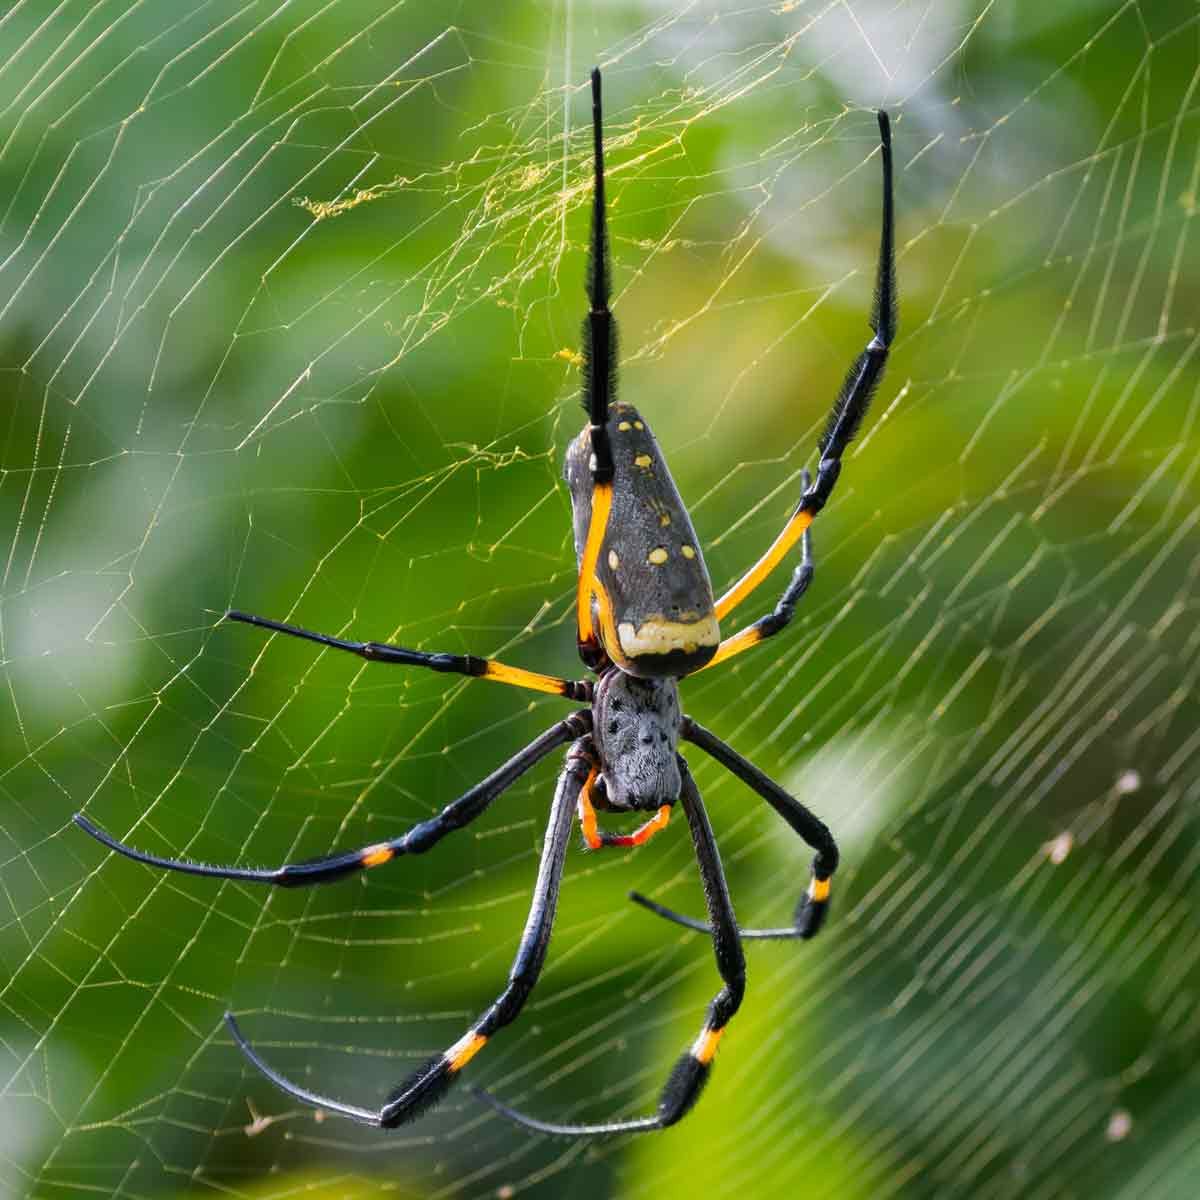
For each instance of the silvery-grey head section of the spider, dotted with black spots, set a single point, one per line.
(637, 730)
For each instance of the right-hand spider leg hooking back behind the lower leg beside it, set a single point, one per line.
(812, 910)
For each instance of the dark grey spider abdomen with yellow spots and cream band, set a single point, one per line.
(661, 620)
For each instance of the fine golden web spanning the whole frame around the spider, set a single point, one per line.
(290, 298)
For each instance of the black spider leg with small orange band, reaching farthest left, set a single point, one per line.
(417, 841)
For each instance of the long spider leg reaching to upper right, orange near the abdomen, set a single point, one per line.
(848, 412)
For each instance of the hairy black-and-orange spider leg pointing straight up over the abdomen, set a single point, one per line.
(599, 389)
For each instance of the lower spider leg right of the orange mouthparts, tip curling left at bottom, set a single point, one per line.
(692, 1070)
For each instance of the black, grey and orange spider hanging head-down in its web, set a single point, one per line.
(646, 619)
